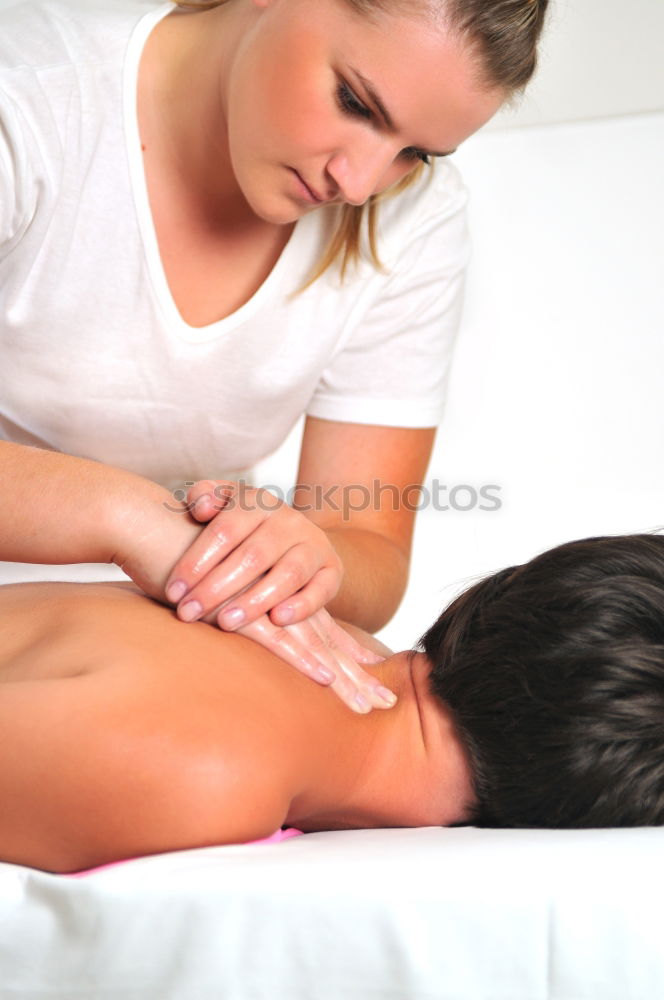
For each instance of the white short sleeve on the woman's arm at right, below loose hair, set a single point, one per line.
(393, 367)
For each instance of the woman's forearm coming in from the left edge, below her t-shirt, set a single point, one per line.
(60, 509)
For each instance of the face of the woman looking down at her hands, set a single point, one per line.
(323, 104)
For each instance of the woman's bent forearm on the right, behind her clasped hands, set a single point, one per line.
(375, 577)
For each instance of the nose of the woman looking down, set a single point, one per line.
(363, 168)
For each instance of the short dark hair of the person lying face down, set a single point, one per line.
(554, 671)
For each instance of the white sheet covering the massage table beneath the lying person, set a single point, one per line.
(420, 914)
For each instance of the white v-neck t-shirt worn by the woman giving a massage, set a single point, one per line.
(96, 360)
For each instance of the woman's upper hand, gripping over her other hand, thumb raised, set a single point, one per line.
(255, 543)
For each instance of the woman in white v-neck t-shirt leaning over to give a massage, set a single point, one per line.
(184, 270)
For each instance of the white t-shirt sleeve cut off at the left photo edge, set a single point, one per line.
(15, 185)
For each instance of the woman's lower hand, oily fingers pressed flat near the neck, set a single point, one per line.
(321, 649)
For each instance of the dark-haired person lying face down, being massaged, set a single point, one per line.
(536, 699)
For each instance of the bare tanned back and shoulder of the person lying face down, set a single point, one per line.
(147, 730)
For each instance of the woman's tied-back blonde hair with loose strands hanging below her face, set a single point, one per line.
(503, 37)
